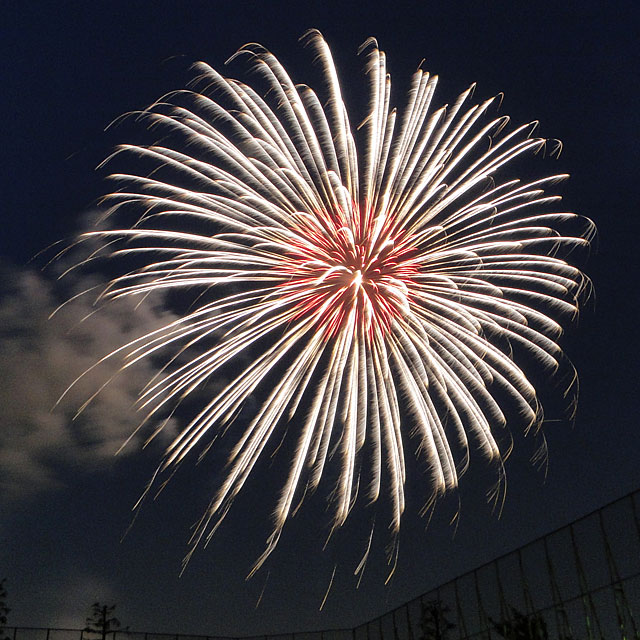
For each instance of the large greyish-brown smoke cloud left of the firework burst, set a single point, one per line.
(40, 357)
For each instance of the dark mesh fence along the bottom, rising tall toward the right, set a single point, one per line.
(581, 582)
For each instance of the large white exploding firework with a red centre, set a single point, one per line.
(375, 288)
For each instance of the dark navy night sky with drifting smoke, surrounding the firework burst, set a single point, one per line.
(68, 70)
